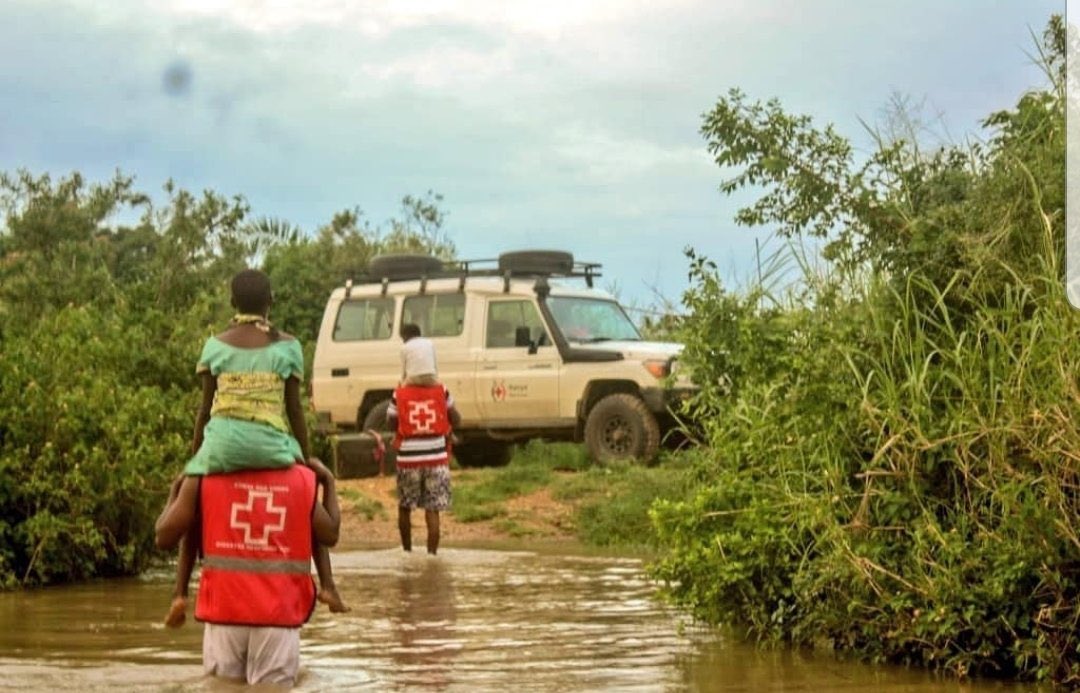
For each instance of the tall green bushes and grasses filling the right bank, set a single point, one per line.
(893, 445)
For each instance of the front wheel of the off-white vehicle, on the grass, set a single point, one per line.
(620, 427)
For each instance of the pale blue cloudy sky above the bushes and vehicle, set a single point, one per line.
(565, 124)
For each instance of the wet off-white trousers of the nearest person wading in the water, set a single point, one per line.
(255, 655)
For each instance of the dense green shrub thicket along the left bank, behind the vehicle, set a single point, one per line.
(100, 328)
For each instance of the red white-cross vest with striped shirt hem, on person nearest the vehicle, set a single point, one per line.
(423, 427)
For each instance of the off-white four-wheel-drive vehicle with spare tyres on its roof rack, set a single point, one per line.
(524, 352)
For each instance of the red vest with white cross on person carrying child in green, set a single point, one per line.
(256, 542)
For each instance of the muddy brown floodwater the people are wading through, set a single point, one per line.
(468, 620)
